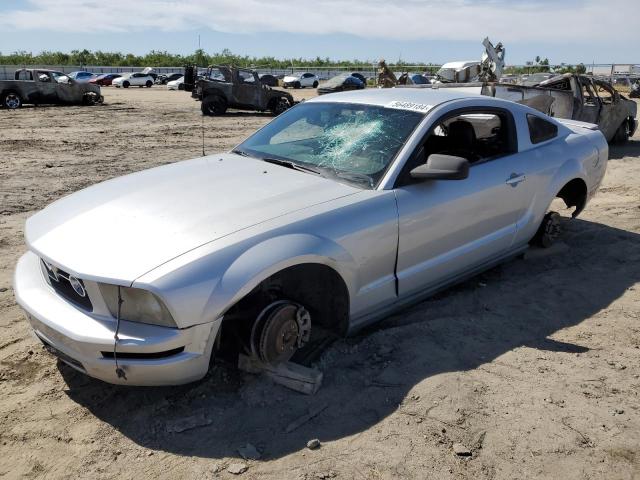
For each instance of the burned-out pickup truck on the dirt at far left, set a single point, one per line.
(45, 87)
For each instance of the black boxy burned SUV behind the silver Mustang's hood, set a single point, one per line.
(228, 87)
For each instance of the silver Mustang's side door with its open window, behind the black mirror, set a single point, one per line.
(450, 227)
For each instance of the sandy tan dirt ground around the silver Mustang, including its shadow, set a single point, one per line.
(533, 366)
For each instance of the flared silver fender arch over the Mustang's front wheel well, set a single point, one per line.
(273, 255)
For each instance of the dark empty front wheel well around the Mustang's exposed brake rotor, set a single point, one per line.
(319, 288)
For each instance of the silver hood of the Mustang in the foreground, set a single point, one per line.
(117, 230)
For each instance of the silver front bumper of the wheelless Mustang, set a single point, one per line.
(79, 338)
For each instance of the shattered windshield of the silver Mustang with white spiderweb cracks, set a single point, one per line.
(352, 142)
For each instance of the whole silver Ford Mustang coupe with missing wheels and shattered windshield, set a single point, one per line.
(338, 212)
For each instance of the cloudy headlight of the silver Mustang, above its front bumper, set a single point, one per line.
(137, 305)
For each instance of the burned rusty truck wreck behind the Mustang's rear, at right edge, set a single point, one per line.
(577, 97)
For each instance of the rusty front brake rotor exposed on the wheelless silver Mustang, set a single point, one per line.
(281, 329)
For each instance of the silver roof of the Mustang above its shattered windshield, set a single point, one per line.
(384, 96)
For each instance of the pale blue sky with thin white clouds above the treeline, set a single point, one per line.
(436, 31)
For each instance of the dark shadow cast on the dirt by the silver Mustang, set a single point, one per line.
(521, 303)
